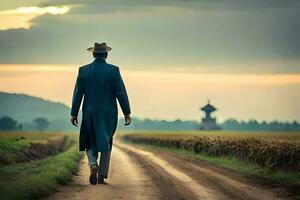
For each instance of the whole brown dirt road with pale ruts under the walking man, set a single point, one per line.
(140, 174)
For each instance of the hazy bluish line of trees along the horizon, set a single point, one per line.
(42, 124)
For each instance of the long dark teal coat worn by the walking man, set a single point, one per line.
(100, 85)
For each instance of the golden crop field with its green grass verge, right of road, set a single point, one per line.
(275, 156)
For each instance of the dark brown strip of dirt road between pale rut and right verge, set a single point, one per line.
(229, 185)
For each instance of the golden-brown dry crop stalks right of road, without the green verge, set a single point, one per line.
(277, 151)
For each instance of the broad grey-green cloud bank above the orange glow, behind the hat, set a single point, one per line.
(158, 38)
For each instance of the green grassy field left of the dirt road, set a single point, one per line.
(32, 165)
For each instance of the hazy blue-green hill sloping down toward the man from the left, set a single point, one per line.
(25, 108)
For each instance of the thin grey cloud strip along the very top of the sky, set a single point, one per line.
(106, 6)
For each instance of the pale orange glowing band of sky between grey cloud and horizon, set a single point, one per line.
(55, 82)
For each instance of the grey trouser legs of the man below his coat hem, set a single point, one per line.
(103, 165)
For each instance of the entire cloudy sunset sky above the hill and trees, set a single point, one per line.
(243, 55)
